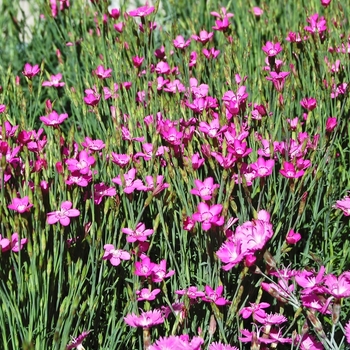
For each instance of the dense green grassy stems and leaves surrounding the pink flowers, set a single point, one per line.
(50, 291)
